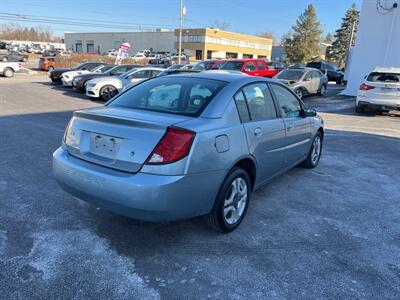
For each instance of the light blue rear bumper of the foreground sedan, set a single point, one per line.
(141, 196)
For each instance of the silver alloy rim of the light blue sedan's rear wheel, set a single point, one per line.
(235, 200)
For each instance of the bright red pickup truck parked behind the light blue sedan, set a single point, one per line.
(253, 67)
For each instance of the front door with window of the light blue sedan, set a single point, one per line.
(298, 128)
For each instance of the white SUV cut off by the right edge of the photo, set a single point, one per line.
(380, 91)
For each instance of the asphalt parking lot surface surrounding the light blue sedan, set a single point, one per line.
(331, 232)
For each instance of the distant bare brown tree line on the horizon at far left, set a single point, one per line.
(20, 33)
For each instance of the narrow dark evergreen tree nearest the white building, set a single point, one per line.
(338, 51)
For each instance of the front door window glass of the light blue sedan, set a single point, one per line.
(289, 104)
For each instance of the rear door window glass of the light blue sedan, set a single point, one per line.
(259, 101)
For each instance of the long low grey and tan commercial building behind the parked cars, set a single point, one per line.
(197, 44)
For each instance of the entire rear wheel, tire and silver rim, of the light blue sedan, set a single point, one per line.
(231, 203)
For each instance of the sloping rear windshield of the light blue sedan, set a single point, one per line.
(176, 95)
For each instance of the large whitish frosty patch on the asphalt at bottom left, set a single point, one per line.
(80, 254)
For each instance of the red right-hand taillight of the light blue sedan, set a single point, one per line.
(174, 145)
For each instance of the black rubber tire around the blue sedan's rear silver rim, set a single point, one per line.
(216, 219)
